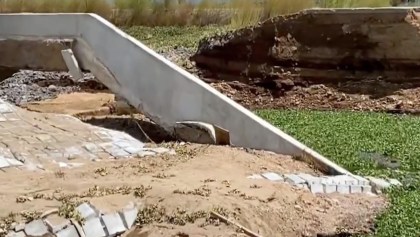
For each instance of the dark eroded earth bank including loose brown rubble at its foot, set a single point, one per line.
(358, 59)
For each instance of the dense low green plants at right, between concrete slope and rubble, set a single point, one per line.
(341, 136)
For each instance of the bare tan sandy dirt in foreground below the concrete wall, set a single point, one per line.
(176, 190)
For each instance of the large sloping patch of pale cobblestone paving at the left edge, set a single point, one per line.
(35, 139)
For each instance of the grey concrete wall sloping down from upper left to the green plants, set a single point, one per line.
(163, 91)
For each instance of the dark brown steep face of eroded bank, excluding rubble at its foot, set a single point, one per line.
(319, 46)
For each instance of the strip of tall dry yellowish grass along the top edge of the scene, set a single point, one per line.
(180, 12)
